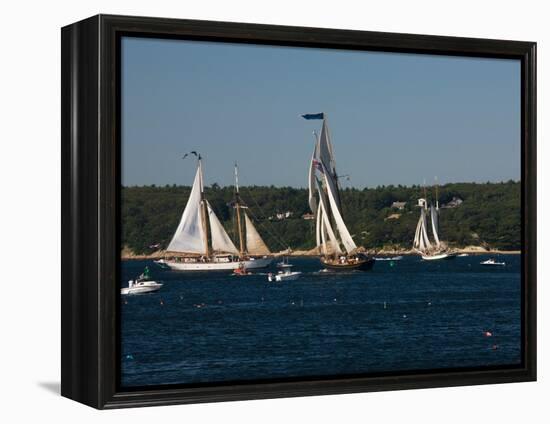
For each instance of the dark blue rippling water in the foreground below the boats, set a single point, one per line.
(215, 327)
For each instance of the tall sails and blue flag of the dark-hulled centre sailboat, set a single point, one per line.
(323, 182)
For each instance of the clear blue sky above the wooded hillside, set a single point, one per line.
(394, 118)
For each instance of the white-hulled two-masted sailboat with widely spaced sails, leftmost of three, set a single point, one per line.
(201, 243)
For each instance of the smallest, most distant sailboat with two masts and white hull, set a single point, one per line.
(428, 249)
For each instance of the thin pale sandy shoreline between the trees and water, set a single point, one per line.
(127, 255)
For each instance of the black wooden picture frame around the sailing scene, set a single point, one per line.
(90, 139)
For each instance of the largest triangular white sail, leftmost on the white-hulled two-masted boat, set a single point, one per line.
(190, 236)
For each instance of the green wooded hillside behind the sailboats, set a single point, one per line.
(490, 215)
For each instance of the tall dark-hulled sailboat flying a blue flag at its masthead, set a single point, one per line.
(337, 248)
